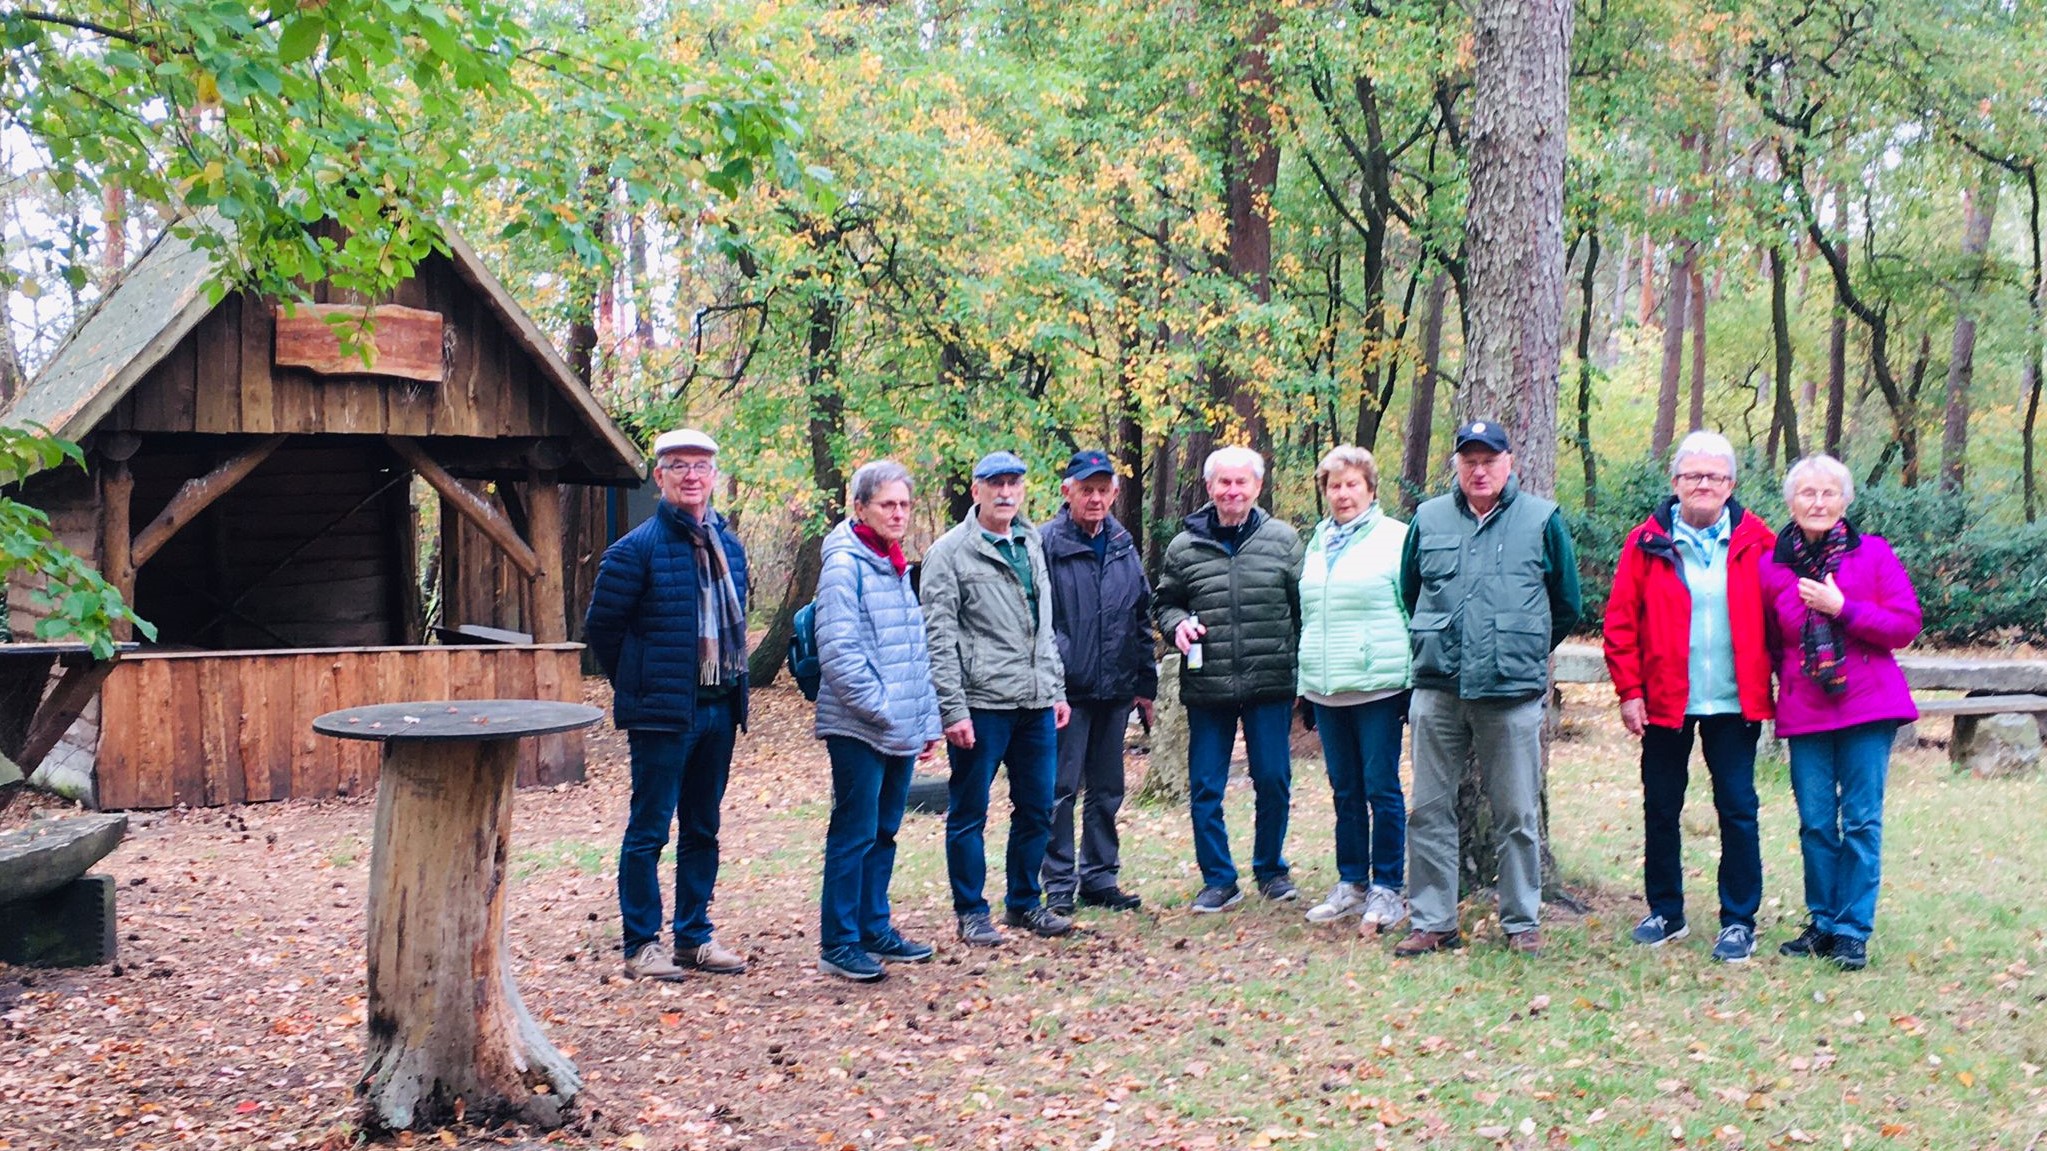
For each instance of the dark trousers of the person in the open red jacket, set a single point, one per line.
(1731, 757)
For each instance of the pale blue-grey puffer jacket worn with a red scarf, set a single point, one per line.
(877, 671)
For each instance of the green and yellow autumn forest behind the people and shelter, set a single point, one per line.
(834, 232)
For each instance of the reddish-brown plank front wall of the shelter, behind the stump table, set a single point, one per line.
(218, 728)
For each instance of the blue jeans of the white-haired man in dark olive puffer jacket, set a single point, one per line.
(1211, 736)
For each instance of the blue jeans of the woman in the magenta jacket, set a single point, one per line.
(1839, 783)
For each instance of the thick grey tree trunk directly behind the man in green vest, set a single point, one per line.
(1516, 245)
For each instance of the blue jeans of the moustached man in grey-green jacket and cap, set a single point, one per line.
(1027, 742)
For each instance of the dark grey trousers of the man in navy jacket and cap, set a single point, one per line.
(1092, 763)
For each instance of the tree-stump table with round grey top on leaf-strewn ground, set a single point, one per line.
(447, 1031)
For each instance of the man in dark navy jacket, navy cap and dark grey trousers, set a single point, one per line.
(1102, 622)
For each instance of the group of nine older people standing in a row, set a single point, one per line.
(1027, 648)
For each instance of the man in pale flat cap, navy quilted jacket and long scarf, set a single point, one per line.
(670, 628)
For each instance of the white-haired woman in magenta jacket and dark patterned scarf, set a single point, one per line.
(1839, 607)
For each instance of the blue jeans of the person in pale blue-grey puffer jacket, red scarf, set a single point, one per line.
(869, 792)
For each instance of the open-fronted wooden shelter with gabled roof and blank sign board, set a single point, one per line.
(296, 521)
